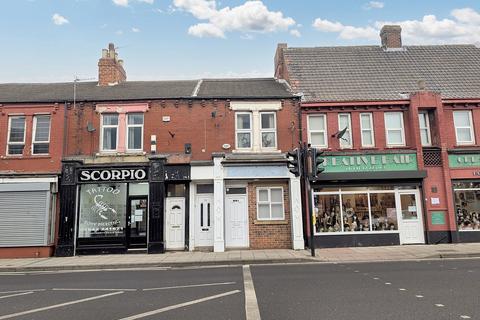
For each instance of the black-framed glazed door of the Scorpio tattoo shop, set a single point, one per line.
(137, 222)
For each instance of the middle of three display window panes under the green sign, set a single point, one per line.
(355, 212)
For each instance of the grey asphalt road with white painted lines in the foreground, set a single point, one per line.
(437, 289)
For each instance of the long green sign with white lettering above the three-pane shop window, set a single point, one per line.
(371, 163)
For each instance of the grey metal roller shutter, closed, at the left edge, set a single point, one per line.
(23, 218)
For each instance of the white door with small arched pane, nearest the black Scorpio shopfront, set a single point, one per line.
(175, 223)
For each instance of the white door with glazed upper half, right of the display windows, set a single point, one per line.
(410, 217)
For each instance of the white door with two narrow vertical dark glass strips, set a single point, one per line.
(204, 221)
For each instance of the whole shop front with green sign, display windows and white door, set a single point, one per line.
(368, 200)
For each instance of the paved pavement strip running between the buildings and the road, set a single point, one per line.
(239, 257)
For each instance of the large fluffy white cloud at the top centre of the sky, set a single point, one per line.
(252, 16)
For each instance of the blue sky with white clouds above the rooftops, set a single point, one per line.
(51, 41)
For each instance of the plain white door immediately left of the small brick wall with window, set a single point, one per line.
(236, 221)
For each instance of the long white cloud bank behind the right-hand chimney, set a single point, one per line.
(462, 27)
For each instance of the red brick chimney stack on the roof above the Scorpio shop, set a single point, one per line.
(110, 68)
